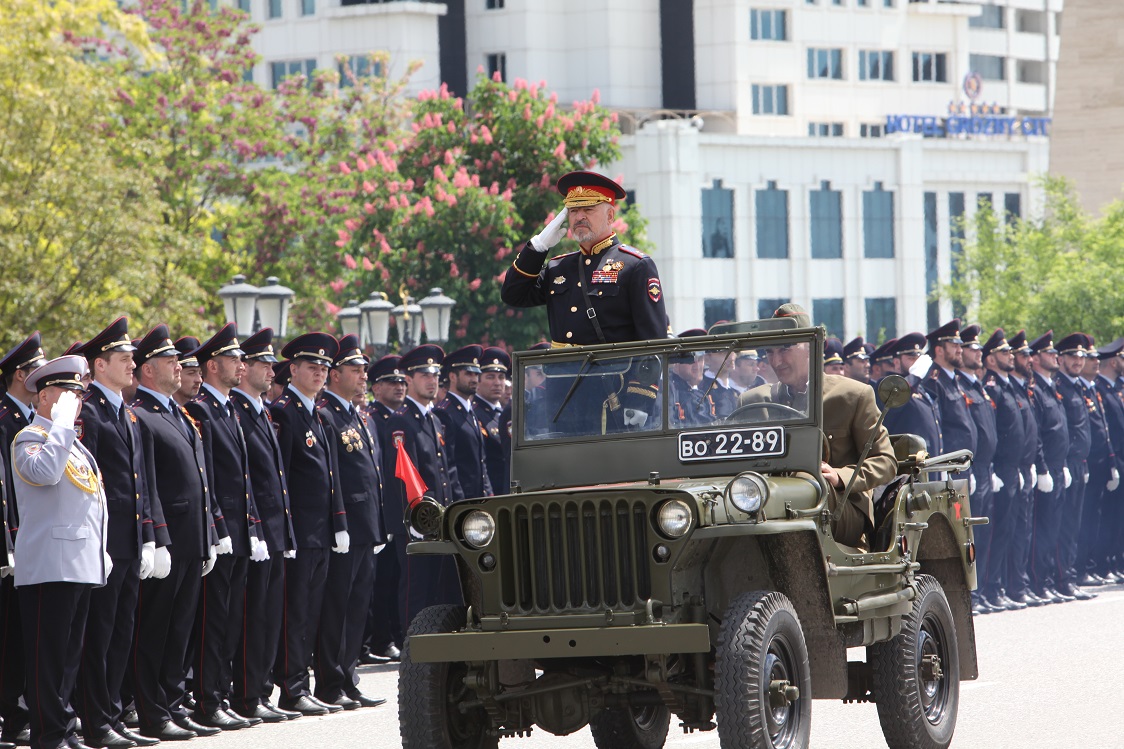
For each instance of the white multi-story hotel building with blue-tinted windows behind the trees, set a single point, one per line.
(821, 151)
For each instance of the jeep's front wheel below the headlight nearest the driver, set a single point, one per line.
(763, 679)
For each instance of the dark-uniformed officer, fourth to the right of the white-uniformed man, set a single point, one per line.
(264, 609)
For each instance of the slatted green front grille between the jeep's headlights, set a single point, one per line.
(574, 555)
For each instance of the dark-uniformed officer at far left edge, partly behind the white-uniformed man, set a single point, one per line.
(16, 413)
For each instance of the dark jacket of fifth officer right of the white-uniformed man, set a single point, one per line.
(309, 459)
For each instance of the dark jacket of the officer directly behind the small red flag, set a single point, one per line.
(423, 438)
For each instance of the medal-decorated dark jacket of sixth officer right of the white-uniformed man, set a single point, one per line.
(360, 472)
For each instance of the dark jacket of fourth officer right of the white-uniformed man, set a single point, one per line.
(267, 476)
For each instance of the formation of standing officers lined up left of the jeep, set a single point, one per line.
(194, 526)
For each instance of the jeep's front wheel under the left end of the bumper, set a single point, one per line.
(429, 694)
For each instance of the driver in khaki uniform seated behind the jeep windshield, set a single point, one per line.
(850, 416)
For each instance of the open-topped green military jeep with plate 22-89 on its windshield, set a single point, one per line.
(684, 564)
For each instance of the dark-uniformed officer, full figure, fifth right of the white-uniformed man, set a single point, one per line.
(320, 521)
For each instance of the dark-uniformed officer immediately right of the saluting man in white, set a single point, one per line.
(108, 429)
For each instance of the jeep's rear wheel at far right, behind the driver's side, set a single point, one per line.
(917, 675)
